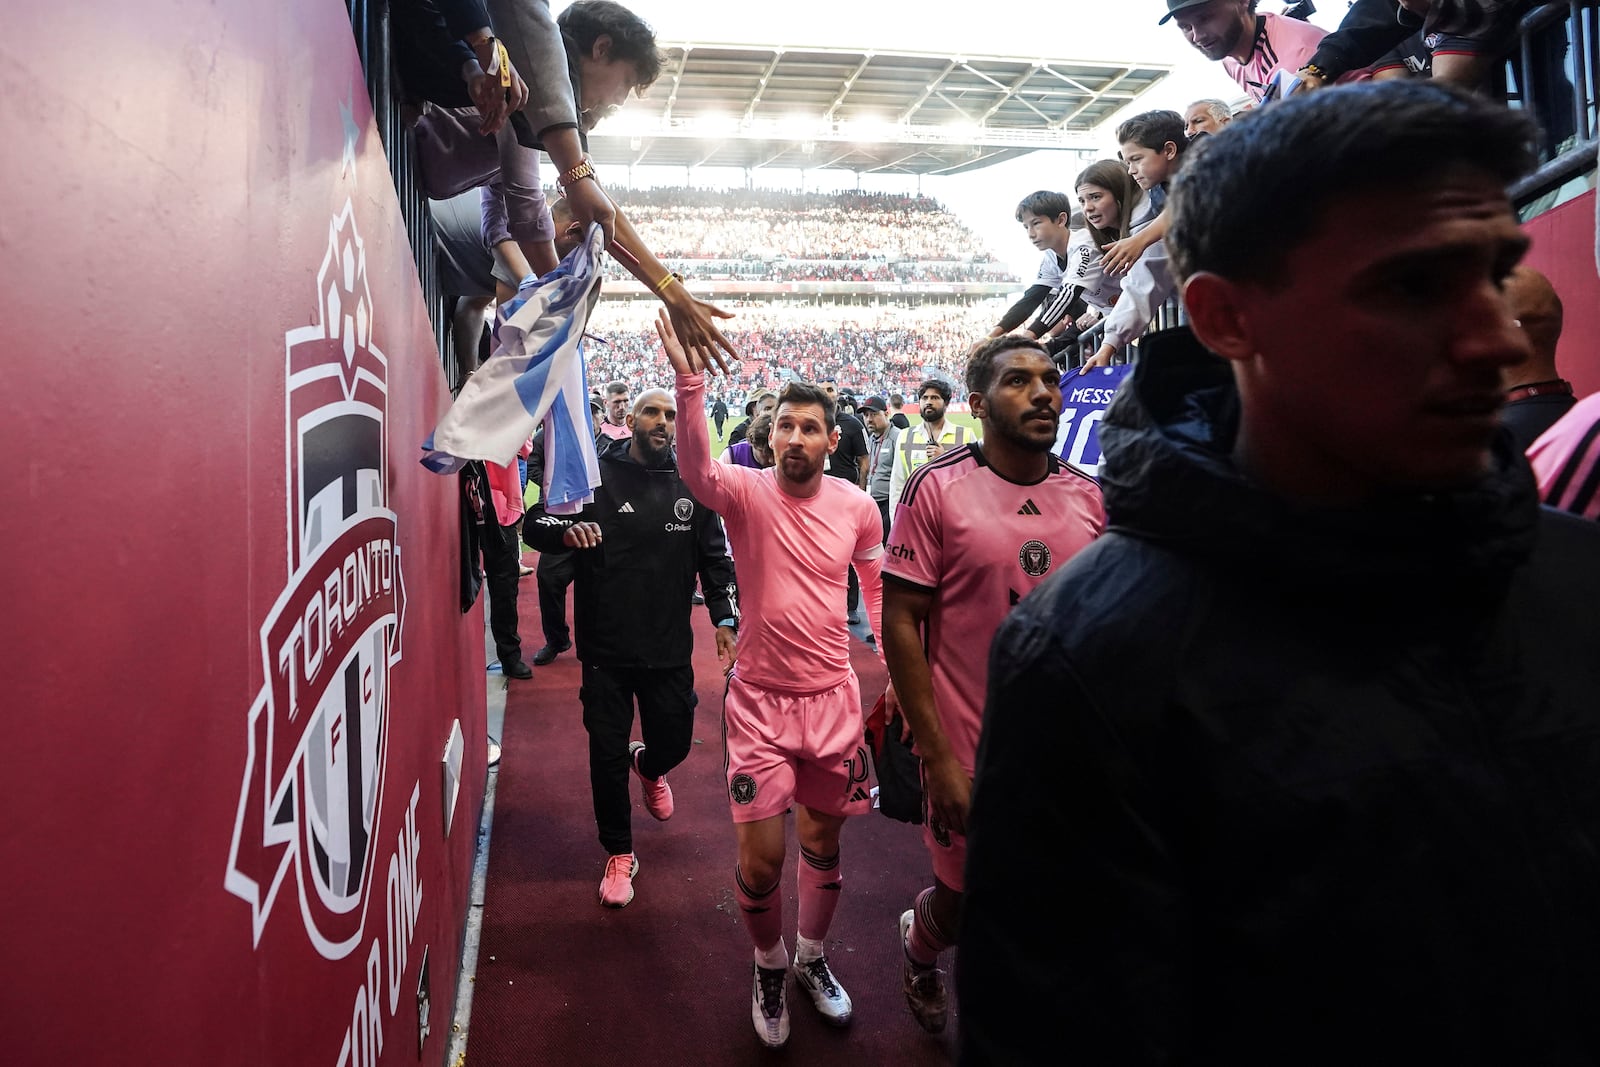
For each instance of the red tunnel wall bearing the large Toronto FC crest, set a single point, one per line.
(233, 650)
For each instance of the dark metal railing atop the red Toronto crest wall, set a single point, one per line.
(370, 26)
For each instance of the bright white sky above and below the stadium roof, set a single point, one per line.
(1060, 30)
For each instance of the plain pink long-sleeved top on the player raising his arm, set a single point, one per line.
(791, 557)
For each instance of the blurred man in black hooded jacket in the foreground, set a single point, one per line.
(1300, 764)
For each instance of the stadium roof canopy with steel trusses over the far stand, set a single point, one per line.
(908, 113)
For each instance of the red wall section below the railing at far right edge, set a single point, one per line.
(1564, 249)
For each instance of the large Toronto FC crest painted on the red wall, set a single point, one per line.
(319, 729)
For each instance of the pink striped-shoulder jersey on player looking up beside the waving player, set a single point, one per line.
(982, 543)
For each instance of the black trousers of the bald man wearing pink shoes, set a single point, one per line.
(666, 722)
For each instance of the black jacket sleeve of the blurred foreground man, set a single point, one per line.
(1058, 797)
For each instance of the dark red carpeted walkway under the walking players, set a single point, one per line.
(665, 981)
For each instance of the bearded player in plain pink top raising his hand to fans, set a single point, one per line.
(793, 719)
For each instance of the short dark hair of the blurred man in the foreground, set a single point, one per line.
(1250, 194)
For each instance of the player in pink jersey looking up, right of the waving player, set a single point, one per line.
(975, 532)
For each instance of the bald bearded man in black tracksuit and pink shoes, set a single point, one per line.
(638, 551)
